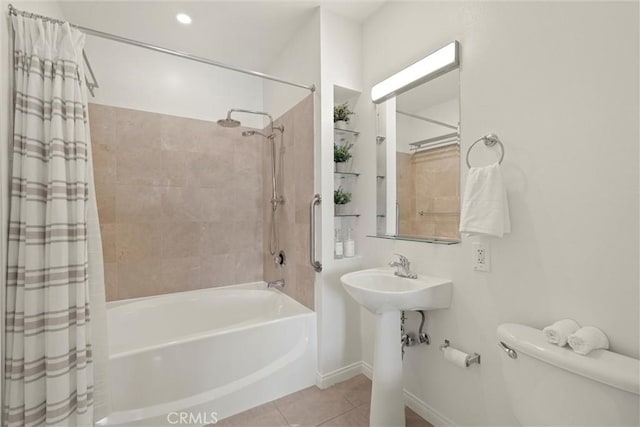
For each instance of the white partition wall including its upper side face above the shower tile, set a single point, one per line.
(326, 51)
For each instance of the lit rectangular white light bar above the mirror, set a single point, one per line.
(428, 68)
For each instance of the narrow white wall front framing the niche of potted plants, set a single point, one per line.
(338, 317)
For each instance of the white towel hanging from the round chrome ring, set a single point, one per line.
(485, 210)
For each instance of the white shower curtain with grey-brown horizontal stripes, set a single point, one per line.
(55, 353)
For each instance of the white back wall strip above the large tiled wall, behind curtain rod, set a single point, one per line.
(140, 79)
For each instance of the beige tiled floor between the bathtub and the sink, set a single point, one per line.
(344, 404)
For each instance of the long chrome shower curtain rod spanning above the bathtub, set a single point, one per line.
(119, 39)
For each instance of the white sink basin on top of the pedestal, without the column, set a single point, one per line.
(379, 291)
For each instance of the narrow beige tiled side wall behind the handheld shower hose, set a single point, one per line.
(295, 156)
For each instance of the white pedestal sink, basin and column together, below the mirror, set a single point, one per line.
(384, 294)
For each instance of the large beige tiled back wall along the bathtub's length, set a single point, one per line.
(180, 202)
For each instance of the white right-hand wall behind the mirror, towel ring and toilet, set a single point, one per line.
(558, 82)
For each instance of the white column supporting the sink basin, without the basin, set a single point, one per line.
(387, 399)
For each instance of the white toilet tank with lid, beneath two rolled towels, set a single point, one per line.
(554, 386)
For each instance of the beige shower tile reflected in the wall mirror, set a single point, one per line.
(429, 181)
